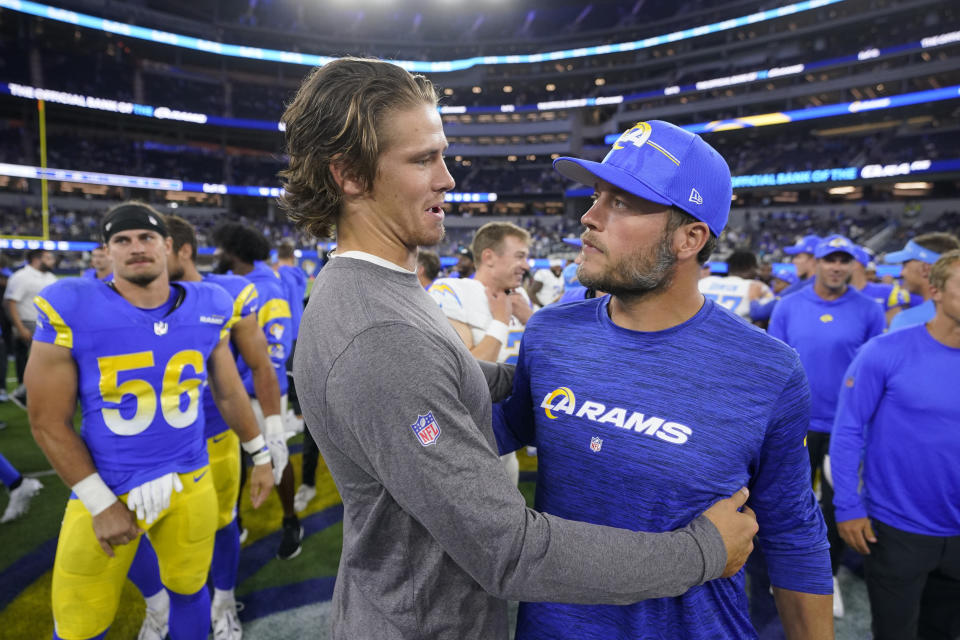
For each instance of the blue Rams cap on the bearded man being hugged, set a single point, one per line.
(662, 163)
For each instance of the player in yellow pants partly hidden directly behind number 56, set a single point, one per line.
(247, 341)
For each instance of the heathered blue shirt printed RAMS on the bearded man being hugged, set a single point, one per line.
(645, 431)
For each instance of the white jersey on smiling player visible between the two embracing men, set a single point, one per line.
(465, 300)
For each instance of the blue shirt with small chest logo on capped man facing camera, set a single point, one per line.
(826, 334)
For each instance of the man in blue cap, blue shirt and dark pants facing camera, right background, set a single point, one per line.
(826, 323)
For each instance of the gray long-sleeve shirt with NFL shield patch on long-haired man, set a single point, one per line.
(435, 536)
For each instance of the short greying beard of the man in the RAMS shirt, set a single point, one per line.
(636, 275)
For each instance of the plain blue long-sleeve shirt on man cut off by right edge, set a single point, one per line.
(898, 411)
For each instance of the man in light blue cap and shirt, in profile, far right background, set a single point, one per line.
(917, 258)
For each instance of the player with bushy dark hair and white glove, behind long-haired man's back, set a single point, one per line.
(243, 251)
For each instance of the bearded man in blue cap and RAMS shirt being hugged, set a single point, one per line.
(628, 436)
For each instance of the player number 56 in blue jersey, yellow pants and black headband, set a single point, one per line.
(135, 353)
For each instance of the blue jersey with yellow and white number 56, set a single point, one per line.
(140, 372)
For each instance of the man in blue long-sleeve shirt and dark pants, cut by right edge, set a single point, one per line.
(898, 413)
